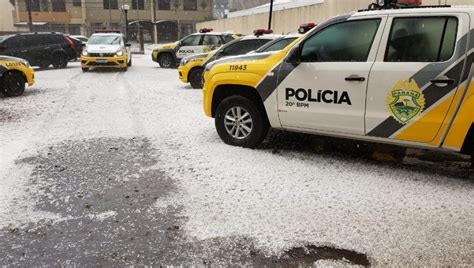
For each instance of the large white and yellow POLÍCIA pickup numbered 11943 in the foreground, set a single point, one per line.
(402, 76)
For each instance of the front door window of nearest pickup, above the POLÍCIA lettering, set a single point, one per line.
(347, 41)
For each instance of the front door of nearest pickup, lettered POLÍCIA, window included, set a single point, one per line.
(327, 90)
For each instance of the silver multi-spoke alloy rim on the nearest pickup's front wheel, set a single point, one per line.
(238, 122)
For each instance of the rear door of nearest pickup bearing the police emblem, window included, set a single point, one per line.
(418, 68)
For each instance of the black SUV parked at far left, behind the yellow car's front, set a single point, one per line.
(40, 49)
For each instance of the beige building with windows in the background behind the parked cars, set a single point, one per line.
(175, 18)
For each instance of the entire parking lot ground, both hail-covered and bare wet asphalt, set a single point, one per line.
(123, 168)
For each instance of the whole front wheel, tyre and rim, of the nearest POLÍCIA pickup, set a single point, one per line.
(240, 122)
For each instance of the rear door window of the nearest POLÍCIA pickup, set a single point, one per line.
(421, 39)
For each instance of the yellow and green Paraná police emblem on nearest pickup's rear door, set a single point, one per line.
(405, 101)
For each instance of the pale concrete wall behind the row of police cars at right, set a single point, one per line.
(285, 21)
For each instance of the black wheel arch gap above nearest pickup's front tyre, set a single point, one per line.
(227, 90)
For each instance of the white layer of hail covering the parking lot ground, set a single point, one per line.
(394, 215)
